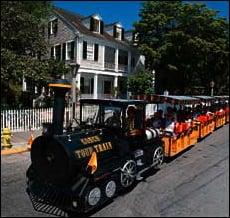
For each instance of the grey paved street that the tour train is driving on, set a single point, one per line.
(194, 184)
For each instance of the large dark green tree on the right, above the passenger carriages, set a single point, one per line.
(187, 45)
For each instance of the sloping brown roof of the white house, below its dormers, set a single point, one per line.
(75, 20)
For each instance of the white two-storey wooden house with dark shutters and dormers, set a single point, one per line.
(104, 52)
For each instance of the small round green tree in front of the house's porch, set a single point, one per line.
(141, 82)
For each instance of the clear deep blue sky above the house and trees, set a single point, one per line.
(125, 12)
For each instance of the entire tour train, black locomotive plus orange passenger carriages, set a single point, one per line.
(78, 169)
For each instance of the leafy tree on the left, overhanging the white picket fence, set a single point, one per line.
(22, 46)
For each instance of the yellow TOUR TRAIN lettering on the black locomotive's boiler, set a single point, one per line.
(98, 148)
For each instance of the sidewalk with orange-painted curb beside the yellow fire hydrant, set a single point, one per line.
(19, 141)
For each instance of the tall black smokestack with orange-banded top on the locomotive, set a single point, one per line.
(60, 87)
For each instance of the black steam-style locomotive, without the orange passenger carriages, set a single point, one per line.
(79, 169)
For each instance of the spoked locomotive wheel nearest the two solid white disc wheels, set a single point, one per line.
(128, 173)
